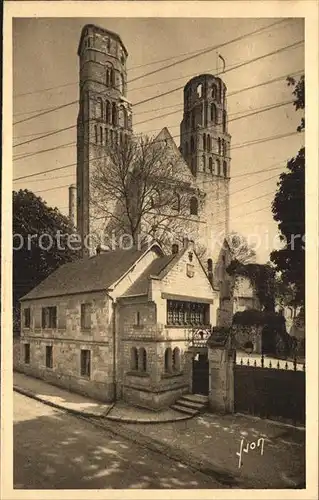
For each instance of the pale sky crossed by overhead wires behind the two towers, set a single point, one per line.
(46, 74)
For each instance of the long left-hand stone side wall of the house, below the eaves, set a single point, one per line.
(67, 341)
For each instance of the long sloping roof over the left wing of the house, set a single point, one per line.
(86, 275)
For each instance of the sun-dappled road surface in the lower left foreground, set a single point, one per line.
(53, 449)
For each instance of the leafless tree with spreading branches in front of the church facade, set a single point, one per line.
(143, 189)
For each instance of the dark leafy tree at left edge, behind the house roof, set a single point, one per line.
(40, 243)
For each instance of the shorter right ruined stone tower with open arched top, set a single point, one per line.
(205, 146)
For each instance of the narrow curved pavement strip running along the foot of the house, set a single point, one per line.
(75, 403)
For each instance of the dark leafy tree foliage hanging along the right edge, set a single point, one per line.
(289, 211)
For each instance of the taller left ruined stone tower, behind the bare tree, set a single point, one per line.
(104, 112)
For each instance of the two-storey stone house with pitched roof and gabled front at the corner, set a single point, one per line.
(117, 325)
